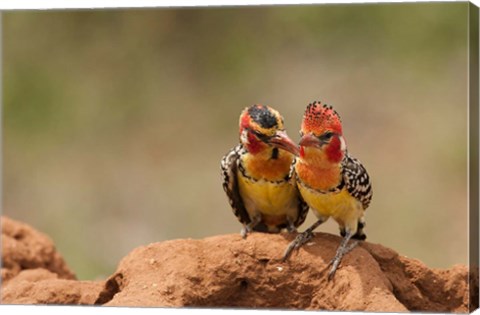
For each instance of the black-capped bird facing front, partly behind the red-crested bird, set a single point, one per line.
(258, 174)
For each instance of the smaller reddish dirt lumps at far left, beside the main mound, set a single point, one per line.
(33, 272)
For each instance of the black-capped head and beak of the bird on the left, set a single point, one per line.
(262, 127)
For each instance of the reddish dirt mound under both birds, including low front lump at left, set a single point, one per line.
(228, 271)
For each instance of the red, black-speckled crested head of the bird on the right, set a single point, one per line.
(322, 130)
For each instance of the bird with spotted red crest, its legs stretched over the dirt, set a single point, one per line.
(331, 181)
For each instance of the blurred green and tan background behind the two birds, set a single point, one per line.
(115, 121)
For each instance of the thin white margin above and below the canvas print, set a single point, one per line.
(86, 4)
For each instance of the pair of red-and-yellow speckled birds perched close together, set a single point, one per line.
(271, 182)
